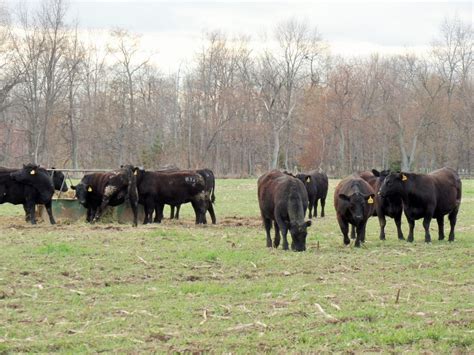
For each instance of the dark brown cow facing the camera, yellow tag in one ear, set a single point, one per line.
(354, 203)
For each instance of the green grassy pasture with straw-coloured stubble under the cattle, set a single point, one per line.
(179, 287)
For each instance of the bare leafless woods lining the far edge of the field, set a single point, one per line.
(237, 108)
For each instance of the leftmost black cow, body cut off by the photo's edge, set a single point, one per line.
(28, 186)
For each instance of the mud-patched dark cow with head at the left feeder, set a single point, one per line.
(99, 190)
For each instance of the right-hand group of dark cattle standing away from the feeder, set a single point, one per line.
(284, 199)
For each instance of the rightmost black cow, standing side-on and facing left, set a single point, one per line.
(426, 196)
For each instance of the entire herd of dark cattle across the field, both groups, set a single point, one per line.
(283, 197)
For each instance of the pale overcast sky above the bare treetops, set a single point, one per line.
(173, 29)
